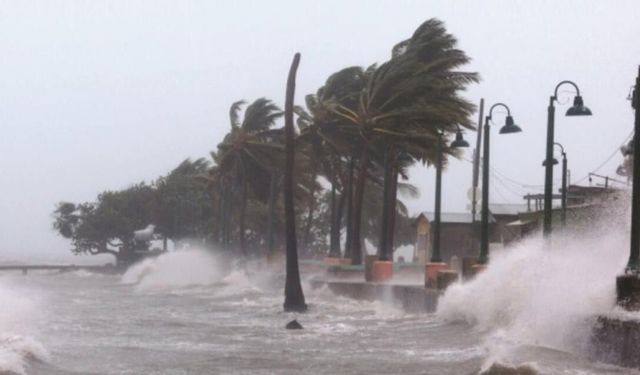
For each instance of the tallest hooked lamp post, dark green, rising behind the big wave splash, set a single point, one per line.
(578, 109)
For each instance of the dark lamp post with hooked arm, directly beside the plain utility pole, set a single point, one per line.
(508, 128)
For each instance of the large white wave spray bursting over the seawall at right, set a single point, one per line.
(542, 294)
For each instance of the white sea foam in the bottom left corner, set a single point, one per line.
(18, 317)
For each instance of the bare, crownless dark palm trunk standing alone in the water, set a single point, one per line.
(293, 295)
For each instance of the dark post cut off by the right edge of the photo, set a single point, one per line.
(632, 265)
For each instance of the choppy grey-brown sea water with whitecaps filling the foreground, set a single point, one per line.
(185, 313)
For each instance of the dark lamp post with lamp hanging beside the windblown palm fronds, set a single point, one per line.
(435, 264)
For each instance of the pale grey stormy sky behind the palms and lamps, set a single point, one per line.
(100, 95)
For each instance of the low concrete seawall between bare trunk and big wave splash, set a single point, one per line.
(410, 298)
